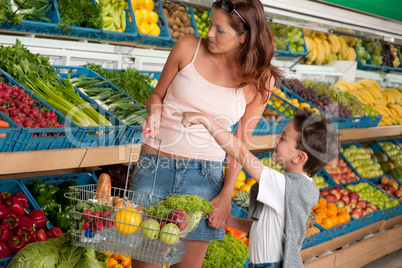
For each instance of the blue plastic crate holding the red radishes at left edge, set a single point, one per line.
(31, 139)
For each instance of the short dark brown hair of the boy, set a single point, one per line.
(318, 138)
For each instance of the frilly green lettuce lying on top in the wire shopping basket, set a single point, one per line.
(195, 207)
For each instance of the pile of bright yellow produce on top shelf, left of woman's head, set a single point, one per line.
(145, 17)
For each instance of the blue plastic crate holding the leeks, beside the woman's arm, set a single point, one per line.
(127, 133)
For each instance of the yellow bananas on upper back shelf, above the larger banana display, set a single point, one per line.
(323, 47)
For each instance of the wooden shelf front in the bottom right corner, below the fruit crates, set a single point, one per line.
(357, 248)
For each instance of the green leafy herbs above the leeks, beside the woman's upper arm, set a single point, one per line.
(129, 80)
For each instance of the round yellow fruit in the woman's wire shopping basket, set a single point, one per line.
(127, 220)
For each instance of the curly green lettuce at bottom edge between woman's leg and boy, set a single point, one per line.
(229, 252)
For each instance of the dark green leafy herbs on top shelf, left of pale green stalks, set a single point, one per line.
(83, 13)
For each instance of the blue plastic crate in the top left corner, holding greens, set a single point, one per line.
(38, 26)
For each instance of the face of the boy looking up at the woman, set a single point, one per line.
(285, 145)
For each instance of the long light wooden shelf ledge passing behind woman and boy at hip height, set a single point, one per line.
(45, 160)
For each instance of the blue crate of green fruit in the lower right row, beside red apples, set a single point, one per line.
(379, 214)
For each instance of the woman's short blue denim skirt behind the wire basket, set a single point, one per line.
(177, 177)
